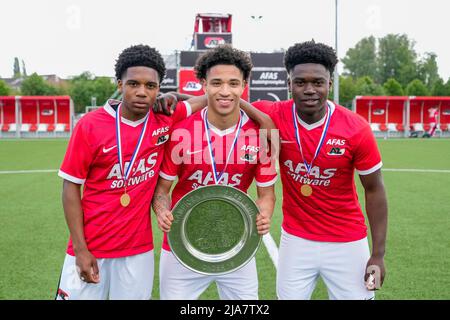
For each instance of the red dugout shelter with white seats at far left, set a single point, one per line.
(36, 116)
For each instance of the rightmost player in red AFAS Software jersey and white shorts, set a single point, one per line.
(323, 231)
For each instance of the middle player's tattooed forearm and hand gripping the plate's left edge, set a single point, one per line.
(161, 204)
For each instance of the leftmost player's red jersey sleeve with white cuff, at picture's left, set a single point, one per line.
(79, 156)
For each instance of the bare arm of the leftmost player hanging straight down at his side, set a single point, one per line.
(86, 263)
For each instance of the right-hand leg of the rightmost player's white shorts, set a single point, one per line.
(343, 270)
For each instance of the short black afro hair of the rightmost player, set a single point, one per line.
(310, 52)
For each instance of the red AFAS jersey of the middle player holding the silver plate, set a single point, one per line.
(187, 157)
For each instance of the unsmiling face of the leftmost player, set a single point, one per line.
(139, 87)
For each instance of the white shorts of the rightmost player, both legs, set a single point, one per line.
(341, 265)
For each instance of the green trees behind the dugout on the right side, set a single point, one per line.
(389, 66)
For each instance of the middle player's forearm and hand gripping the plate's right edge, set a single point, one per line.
(266, 204)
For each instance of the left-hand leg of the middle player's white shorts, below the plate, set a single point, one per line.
(176, 282)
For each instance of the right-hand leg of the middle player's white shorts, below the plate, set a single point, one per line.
(241, 284)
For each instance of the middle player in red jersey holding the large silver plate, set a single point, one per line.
(220, 145)
